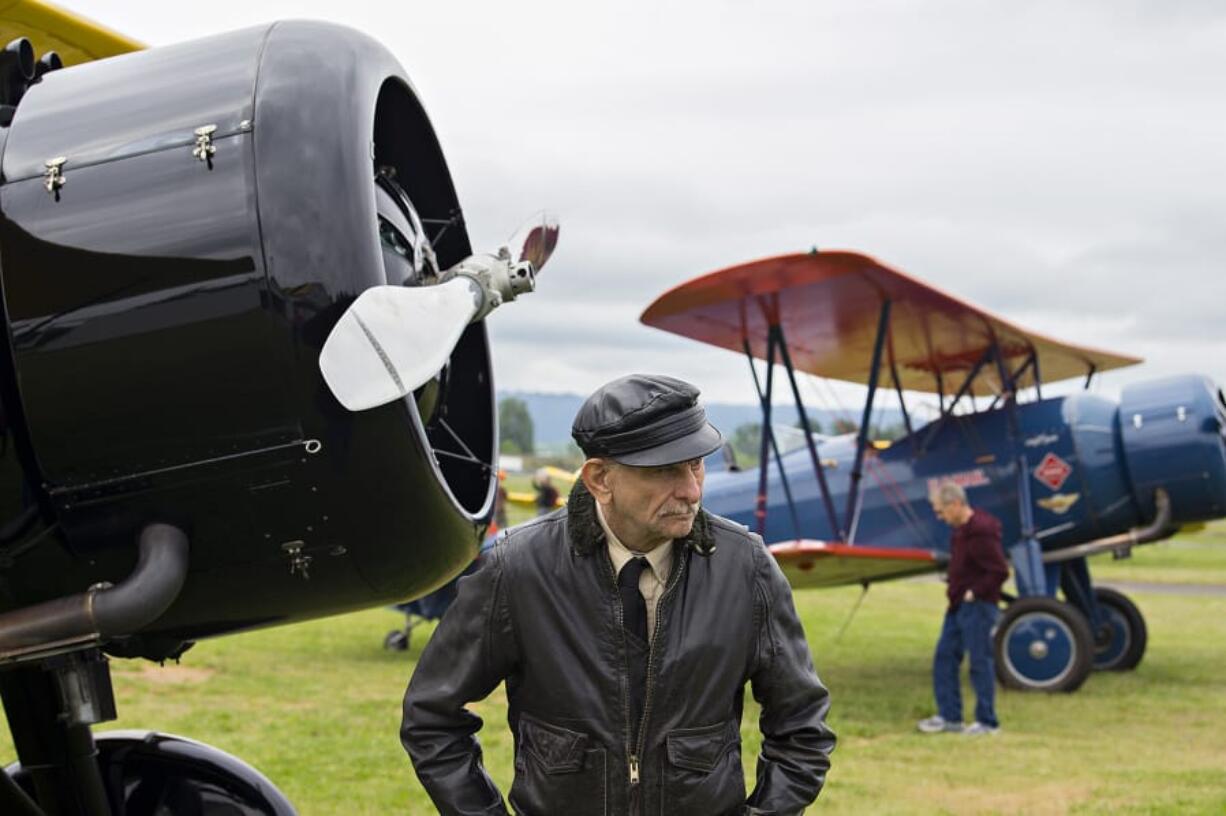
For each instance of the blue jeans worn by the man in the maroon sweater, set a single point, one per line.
(968, 630)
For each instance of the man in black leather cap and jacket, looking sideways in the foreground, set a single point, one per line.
(626, 628)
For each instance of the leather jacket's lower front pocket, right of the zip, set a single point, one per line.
(703, 771)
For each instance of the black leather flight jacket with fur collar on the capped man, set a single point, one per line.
(544, 614)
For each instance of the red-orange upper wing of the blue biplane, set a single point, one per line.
(828, 307)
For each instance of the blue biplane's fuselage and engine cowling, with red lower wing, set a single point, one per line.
(1093, 466)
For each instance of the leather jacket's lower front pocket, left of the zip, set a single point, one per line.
(557, 771)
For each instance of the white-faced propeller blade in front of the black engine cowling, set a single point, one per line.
(393, 340)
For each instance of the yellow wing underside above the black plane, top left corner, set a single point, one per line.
(75, 39)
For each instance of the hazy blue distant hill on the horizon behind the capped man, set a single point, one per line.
(552, 415)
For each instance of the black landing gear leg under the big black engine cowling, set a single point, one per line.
(51, 709)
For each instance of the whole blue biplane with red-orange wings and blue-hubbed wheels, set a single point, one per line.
(1068, 477)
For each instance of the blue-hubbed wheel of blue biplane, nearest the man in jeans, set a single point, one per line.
(1044, 645)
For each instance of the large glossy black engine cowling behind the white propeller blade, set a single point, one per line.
(180, 231)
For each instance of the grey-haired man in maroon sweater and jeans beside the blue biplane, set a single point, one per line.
(977, 572)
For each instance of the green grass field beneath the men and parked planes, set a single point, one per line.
(317, 709)
